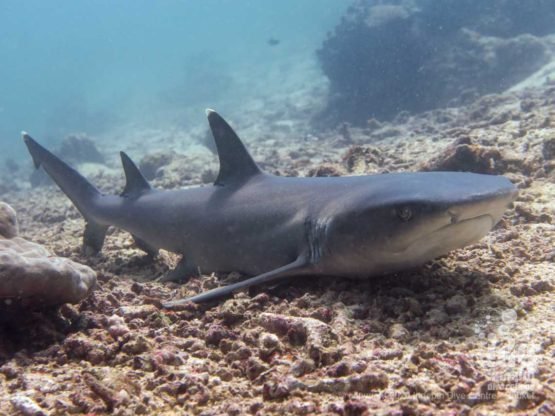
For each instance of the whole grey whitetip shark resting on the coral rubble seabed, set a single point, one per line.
(273, 227)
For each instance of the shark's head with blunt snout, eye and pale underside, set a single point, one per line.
(406, 220)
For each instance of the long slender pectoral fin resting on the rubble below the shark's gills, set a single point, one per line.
(299, 266)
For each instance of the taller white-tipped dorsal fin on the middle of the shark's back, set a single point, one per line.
(236, 164)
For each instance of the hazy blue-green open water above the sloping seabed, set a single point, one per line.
(88, 65)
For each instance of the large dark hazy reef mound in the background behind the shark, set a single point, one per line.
(390, 56)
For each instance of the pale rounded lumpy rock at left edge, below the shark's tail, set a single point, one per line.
(31, 275)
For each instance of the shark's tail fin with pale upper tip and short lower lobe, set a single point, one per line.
(78, 189)
